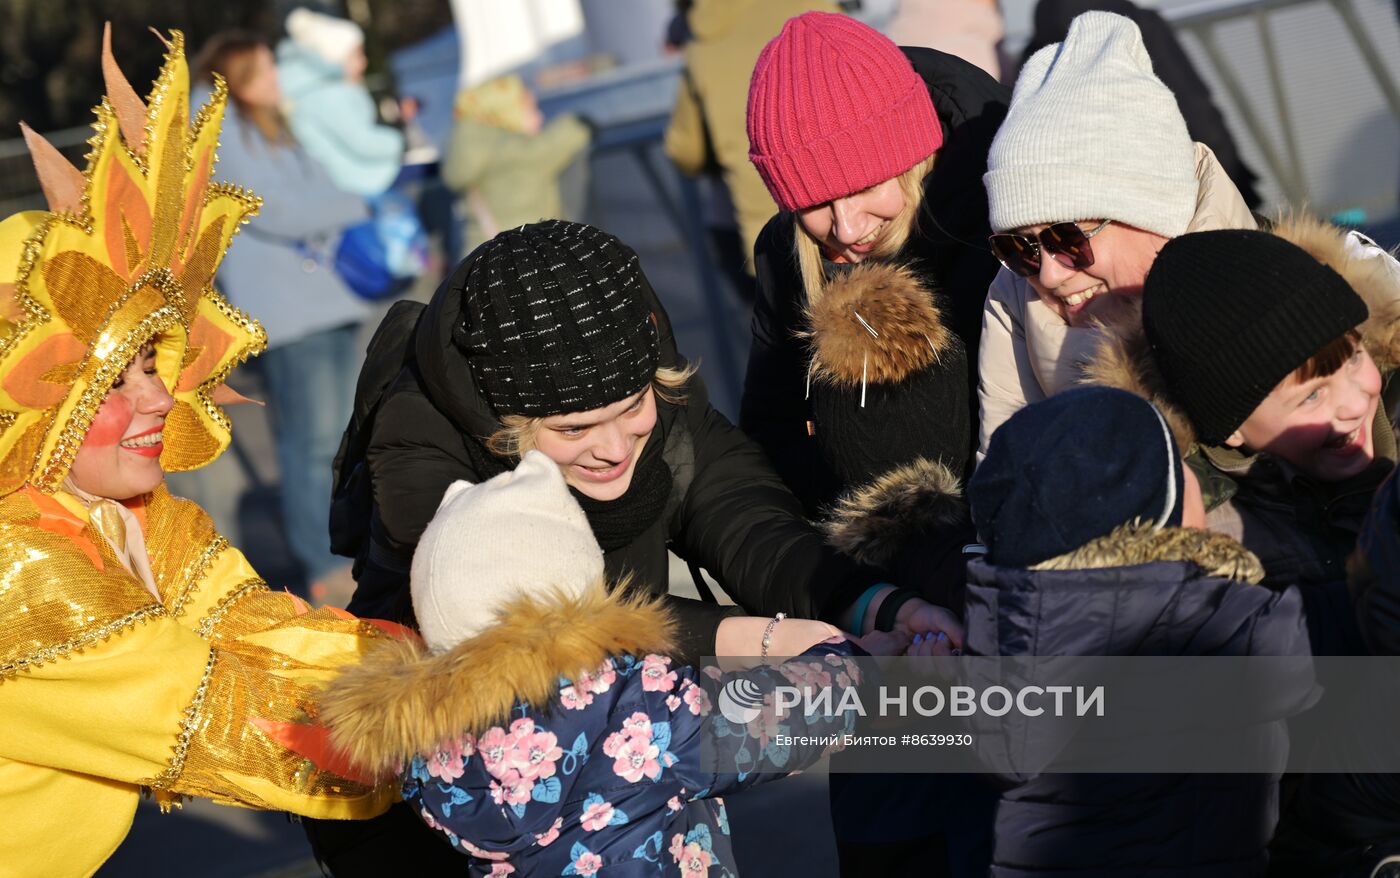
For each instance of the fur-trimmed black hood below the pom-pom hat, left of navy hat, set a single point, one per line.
(873, 523)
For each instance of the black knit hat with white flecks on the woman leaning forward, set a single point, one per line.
(556, 320)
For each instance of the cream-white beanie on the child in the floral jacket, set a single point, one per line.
(520, 533)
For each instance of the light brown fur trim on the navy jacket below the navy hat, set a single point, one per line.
(1142, 544)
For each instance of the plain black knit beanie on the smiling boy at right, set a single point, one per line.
(1233, 313)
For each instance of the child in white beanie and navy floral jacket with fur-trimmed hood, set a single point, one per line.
(544, 726)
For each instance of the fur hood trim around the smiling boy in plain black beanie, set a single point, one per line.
(1123, 358)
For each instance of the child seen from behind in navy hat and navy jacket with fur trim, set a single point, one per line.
(1081, 503)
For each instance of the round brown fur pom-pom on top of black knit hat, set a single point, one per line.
(877, 323)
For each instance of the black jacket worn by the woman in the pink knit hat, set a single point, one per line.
(948, 256)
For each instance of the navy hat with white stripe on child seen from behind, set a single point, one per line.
(1070, 470)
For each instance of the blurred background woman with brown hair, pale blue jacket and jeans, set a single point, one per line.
(283, 272)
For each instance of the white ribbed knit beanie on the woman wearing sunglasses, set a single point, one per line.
(1093, 135)
